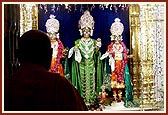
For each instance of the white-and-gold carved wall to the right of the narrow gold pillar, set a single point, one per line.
(151, 54)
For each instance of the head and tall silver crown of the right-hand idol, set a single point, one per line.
(116, 30)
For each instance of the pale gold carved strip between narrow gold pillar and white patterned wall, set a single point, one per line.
(146, 54)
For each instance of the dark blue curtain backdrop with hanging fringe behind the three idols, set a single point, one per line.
(68, 17)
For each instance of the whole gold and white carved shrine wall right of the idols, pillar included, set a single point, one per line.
(147, 66)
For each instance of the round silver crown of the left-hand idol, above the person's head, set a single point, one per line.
(52, 24)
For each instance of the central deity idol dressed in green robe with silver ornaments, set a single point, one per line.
(86, 64)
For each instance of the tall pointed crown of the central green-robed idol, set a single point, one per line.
(86, 20)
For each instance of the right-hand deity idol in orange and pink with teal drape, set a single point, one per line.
(118, 57)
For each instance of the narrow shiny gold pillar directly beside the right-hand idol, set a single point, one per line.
(134, 48)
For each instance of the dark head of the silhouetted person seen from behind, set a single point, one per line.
(35, 47)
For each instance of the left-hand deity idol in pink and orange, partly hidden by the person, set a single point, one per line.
(52, 27)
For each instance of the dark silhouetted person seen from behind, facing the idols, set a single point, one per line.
(33, 87)
